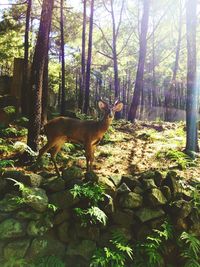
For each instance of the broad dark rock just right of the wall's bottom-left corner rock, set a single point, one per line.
(45, 246)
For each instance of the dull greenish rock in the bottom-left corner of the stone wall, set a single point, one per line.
(16, 249)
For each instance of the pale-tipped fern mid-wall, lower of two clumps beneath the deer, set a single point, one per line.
(92, 215)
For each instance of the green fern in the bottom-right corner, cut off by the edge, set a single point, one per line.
(190, 249)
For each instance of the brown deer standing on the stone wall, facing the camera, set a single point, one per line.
(86, 132)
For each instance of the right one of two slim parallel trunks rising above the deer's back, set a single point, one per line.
(89, 60)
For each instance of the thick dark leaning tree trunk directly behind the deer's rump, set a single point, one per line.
(37, 72)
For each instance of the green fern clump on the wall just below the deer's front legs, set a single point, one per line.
(92, 192)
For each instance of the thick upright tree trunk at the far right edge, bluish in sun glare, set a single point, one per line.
(191, 105)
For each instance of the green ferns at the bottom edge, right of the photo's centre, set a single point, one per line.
(115, 255)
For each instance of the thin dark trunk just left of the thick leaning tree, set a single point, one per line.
(25, 83)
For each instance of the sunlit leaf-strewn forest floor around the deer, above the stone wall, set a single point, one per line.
(126, 149)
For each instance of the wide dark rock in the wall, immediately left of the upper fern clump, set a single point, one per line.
(63, 199)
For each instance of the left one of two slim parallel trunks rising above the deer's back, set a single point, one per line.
(82, 87)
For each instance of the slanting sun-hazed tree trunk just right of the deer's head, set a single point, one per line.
(142, 55)
